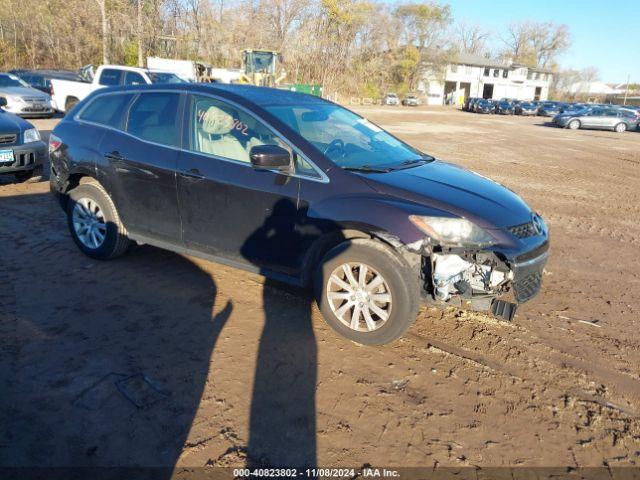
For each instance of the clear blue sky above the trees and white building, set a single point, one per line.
(605, 33)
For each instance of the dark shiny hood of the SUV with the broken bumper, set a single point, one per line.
(453, 189)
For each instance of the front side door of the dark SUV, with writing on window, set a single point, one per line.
(227, 208)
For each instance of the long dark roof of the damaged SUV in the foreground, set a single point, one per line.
(261, 96)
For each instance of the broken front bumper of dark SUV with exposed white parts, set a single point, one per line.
(484, 280)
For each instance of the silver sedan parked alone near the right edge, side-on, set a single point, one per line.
(598, 118)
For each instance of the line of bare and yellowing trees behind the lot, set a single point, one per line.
(360, 47)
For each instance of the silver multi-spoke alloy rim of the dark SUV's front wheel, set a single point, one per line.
(359, 297)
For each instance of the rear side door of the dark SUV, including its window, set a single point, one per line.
(140, 160)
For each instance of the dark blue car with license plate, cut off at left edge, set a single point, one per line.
(22, 152)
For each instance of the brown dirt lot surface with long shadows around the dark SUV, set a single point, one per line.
(160, 359)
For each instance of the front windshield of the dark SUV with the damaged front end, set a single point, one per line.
(348, 140)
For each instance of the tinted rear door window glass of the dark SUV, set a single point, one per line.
(154, 117)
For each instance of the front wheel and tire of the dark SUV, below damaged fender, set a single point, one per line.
(366, 292)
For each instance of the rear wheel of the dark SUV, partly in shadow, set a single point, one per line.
(94, 223)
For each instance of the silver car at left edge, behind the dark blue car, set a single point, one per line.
(22, 99)
